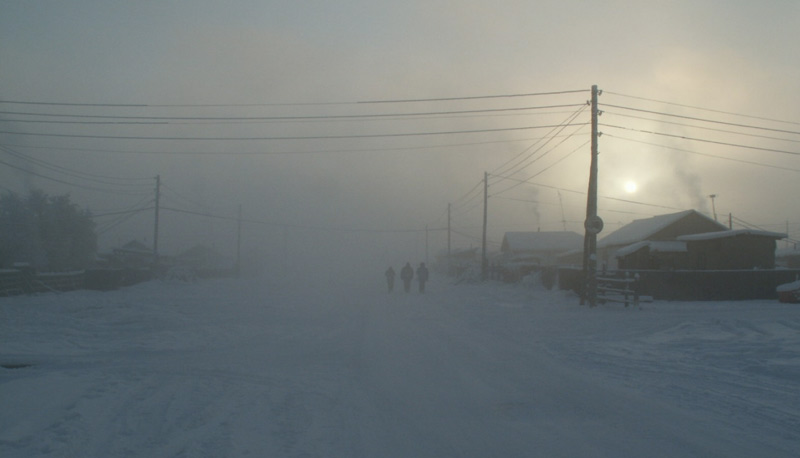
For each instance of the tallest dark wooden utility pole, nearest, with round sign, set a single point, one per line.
(593, 224)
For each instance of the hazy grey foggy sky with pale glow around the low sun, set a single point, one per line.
(339, 198)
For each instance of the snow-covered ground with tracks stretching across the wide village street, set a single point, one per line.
(236, 368)
